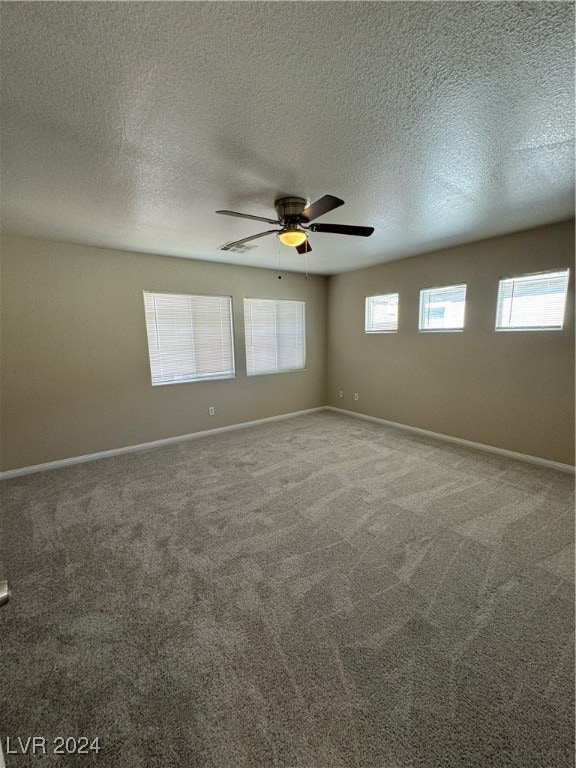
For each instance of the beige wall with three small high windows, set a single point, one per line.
(511, 390)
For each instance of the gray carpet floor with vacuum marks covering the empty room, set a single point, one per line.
(320, 592)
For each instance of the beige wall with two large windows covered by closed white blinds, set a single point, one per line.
(75, 370)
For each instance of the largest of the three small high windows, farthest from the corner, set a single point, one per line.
(532, 302)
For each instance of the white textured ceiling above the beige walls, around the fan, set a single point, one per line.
(128, 124)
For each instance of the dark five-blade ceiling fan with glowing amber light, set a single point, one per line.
(293, 215)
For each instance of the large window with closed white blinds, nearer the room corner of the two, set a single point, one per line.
(275, 335)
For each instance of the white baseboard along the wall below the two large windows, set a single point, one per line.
(146, 446)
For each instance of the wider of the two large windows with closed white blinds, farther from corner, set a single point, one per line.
(189, 337)
